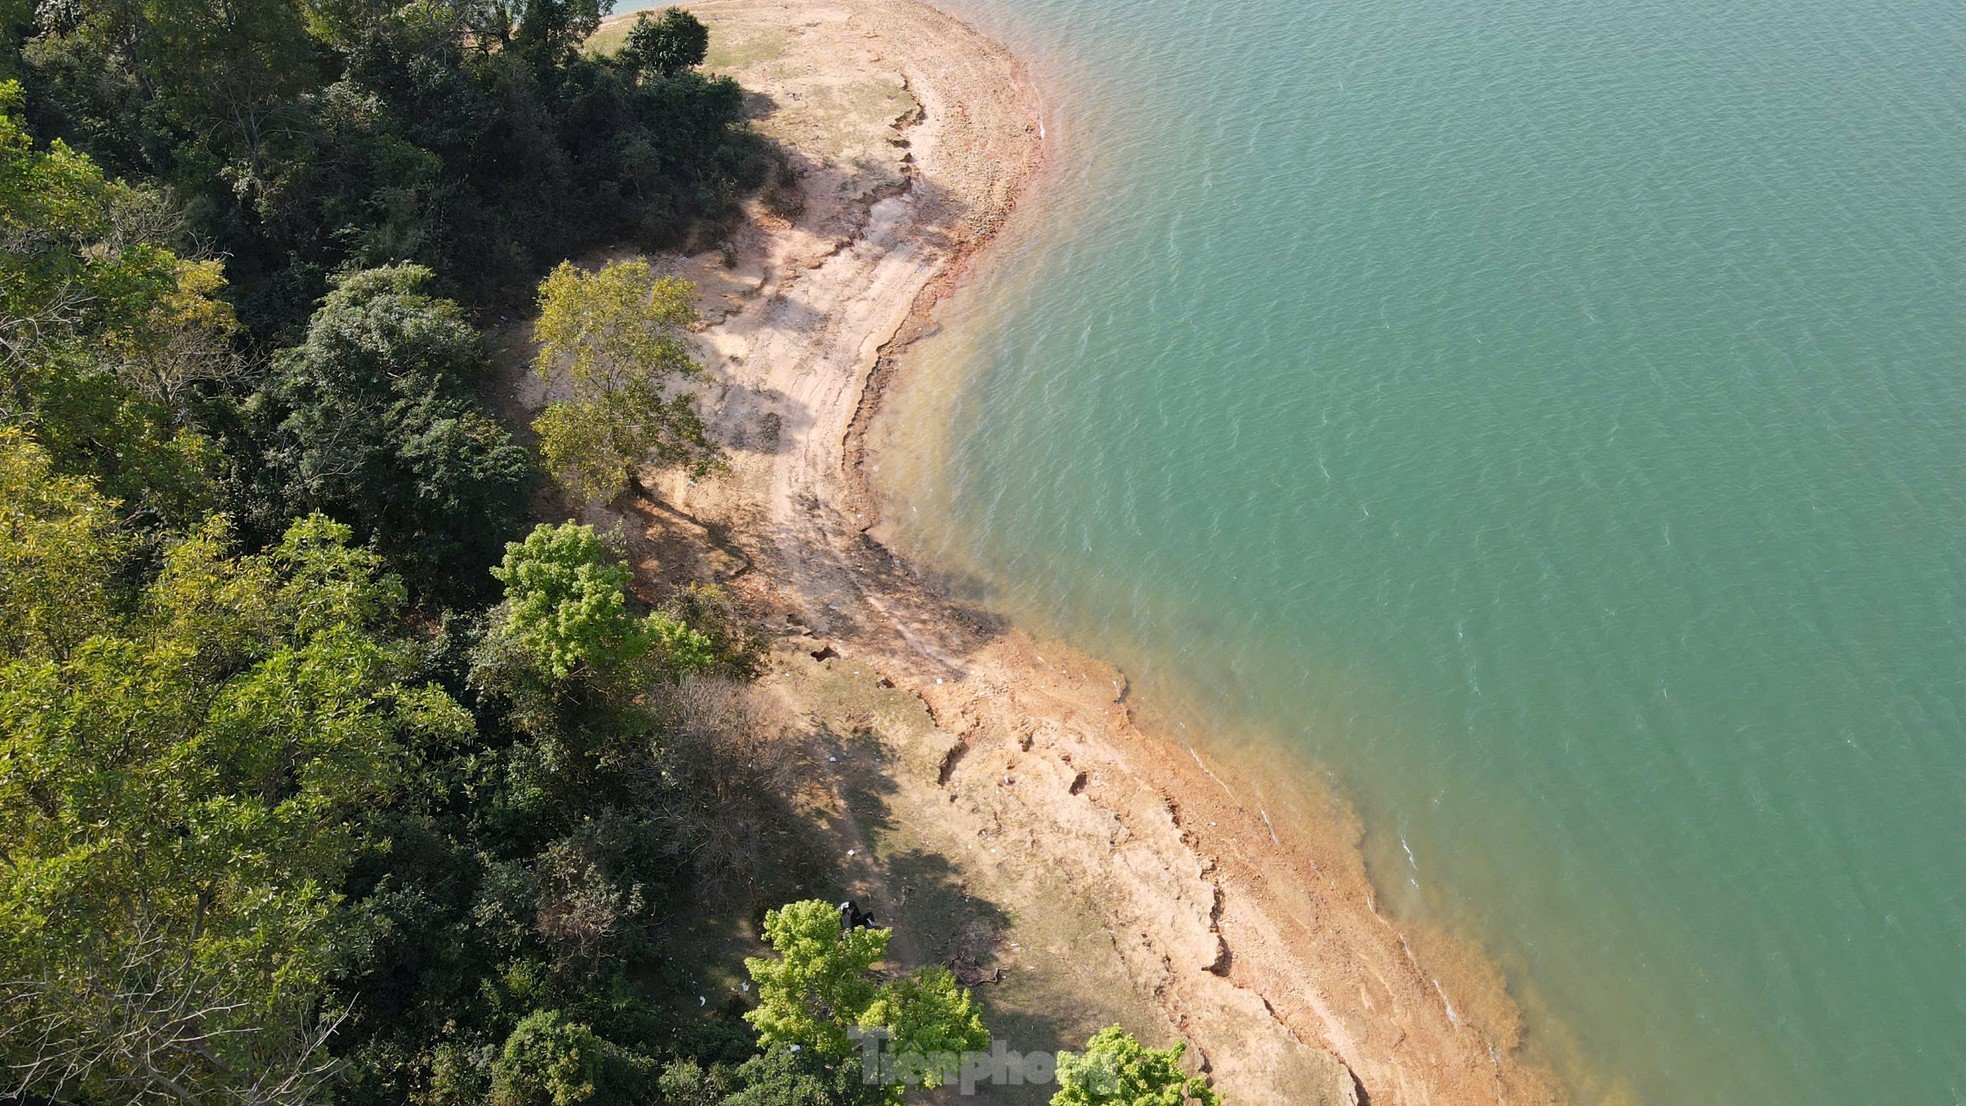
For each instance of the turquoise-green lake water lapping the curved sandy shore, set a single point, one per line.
(1552, 419)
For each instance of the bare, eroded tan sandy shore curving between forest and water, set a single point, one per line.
(996, 793)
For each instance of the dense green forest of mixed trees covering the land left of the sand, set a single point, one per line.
(327, 775)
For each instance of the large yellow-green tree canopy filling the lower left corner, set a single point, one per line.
(182, 795)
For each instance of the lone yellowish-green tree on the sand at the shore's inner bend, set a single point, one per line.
(610, 349)
